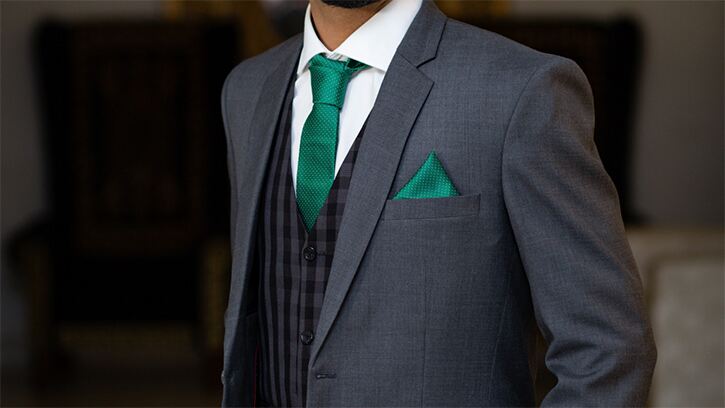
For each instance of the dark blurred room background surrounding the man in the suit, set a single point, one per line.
(115, 260)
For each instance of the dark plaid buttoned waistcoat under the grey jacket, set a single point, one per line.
(292, 286)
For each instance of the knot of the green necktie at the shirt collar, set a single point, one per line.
(330, 78)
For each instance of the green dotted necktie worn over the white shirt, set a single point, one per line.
(318, 145)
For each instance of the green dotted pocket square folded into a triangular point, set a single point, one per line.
(430, 181)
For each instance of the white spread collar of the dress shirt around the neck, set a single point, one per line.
(373, 43)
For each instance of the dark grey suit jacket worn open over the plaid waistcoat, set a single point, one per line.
(434, 302)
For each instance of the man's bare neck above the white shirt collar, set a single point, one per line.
(334, 24)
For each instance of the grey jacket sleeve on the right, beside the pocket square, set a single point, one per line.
(565, 215)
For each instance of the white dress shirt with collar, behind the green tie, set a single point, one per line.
(374, 43)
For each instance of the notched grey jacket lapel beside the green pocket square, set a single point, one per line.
(402, 95)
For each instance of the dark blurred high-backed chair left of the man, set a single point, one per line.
(136, 237)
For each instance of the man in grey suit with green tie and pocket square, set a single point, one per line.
(408, 209)
